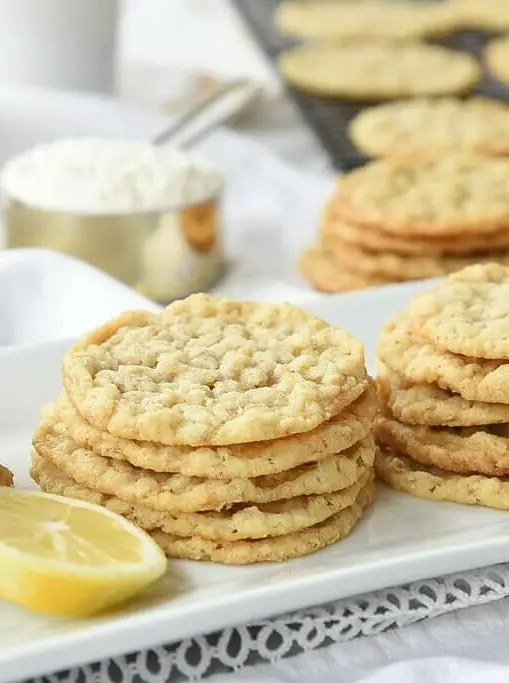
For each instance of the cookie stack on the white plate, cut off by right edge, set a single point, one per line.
(444, 383)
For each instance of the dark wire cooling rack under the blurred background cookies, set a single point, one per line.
(329, 118)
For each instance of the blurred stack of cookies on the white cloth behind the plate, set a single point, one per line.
(409, 218)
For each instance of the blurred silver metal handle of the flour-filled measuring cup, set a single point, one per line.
(227, 100)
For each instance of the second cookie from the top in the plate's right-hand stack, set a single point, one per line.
(406, 353)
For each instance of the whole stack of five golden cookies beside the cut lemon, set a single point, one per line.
(231, 431)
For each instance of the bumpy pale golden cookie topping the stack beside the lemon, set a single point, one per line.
(208, 372)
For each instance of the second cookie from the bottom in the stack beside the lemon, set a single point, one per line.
(236, 523)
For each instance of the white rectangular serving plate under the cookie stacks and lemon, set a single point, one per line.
(401, 539)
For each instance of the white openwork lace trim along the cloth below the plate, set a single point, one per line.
(302, 631)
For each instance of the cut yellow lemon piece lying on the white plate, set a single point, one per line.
(70, 558)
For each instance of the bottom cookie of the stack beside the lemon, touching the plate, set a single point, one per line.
(276, 549)
